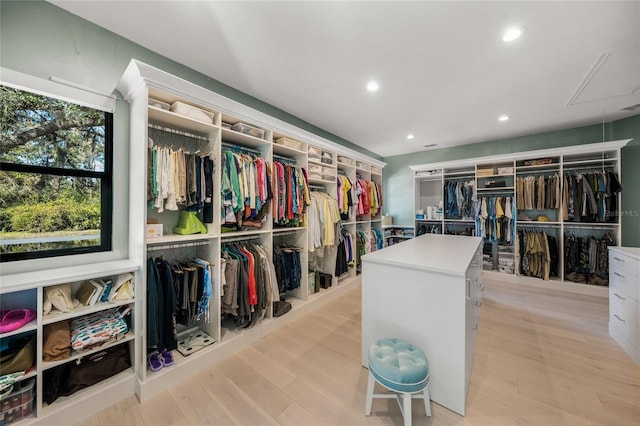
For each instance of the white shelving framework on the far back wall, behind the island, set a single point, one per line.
(430, 179)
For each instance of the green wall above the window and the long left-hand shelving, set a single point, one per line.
(40, 39)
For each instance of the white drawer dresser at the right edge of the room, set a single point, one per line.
(624, 292)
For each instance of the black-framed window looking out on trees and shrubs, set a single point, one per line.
(55, 176)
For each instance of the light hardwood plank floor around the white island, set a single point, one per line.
(542, 358)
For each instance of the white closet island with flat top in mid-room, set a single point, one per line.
(428, 291)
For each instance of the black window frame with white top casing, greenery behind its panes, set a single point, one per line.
(84, 97)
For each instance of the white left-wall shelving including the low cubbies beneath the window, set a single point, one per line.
(146, 89)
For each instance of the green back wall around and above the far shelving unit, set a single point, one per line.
(398, 177)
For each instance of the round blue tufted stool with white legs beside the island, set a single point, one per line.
(403, 369)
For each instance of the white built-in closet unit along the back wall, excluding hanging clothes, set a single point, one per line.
(430, 182)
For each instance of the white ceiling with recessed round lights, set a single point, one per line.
(445, 74)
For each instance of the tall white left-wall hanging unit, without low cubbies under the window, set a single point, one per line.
(322, 159)
